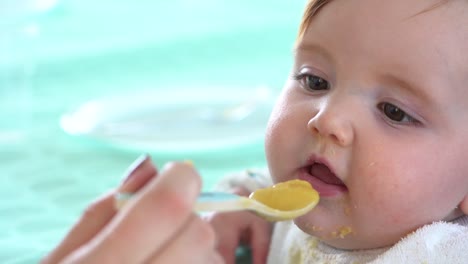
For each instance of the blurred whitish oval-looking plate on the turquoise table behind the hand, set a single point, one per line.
(176, 119)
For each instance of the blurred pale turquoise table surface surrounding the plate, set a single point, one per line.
(83, 49)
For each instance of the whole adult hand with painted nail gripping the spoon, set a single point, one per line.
(156, 226)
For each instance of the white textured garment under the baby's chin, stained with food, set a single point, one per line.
(439, 242)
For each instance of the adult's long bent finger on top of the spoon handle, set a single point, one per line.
(148, 221)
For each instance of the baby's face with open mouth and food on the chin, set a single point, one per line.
(380, 100)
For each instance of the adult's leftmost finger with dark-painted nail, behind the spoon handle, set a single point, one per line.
(101, 211)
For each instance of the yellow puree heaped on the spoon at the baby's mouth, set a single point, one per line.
(287, 196)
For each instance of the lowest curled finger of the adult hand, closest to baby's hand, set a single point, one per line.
(195, 243)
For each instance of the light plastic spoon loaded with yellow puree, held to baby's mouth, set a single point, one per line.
(283, 201)
